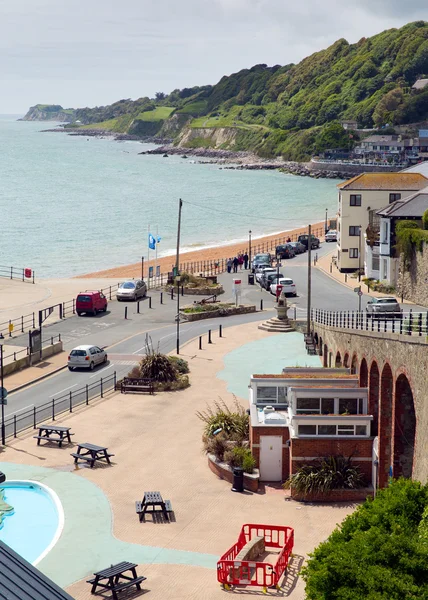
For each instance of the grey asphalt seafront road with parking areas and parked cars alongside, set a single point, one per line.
(125, 339)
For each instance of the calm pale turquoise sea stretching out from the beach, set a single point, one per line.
(72, 205)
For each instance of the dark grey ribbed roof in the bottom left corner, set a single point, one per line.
(21, 581)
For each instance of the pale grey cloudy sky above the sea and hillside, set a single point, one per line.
(93, 52)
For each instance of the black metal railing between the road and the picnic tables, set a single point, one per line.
(50, 410)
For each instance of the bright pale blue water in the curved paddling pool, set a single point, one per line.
(32, 526)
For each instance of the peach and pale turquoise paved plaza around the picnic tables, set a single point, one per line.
(157, 445)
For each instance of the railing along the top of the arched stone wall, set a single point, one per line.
(404, 323)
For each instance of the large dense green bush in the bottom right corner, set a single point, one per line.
(378, 553)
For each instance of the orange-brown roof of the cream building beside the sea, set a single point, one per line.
(386, 181)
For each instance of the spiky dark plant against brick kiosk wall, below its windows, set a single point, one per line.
(326, 474)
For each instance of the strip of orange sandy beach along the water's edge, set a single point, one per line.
(166, 263)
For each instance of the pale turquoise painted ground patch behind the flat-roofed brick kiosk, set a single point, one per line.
(266, 356)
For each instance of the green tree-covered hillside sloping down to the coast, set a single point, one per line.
(293, 110)
